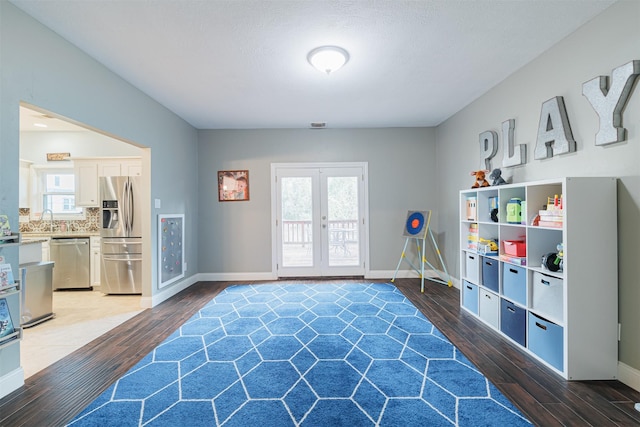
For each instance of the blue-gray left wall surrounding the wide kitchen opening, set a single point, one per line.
(42, 69)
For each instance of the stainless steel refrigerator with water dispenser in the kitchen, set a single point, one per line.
(121, 235)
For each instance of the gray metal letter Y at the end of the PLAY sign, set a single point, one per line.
(609, 103)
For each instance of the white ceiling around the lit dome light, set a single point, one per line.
(241, 64)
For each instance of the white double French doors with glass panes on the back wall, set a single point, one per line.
(321, 219)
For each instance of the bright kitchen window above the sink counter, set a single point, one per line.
(56, 190)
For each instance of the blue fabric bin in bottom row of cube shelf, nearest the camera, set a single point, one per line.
(546, 340)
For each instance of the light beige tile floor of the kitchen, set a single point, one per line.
(80, 317)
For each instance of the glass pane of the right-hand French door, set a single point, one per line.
(342, 209)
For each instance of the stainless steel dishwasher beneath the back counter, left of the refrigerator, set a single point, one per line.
(71, 257)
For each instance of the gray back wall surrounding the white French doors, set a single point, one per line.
(236, 237)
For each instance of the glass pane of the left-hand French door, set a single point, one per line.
(297, 222)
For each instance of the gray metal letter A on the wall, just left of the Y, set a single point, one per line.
(554, 132)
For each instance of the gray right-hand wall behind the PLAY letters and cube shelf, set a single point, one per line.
(609, 41)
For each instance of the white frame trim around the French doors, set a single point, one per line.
(365, 208)
